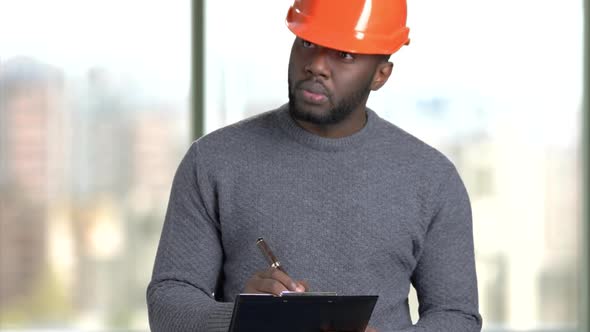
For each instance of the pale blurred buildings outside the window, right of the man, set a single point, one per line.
(526, 253)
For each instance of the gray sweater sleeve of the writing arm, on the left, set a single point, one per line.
(180, 296)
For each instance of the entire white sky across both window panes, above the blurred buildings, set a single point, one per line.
(536, 62)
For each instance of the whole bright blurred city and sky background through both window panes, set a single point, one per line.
(94, 118)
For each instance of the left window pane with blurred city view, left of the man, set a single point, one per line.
(94, 119)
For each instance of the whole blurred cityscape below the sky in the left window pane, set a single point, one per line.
(86, 167)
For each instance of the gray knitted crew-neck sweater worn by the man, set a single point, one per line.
(365, 214)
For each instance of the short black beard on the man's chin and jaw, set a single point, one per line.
(336, 114)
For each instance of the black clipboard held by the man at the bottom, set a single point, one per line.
(301, 313)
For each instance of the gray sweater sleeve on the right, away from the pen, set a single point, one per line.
(445, 277)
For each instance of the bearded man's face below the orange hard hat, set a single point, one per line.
(326, 85)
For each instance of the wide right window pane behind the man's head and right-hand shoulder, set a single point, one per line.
(497, 87)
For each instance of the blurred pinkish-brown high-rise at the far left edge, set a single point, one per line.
(31, 99)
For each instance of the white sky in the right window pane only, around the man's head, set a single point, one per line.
(525, 56)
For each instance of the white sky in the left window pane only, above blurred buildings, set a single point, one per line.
(79, 34)
